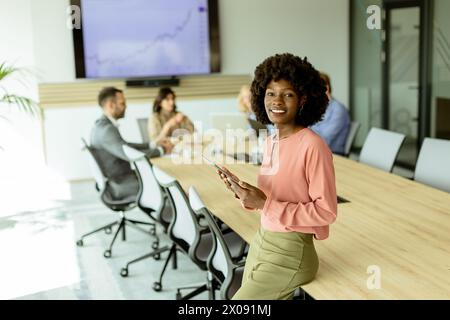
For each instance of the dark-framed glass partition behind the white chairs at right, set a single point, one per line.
(400, 72)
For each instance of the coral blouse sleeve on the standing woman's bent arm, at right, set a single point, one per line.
(321, 210)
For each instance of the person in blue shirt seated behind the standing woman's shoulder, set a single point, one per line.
(335, 125)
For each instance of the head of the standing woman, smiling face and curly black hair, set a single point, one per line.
(290, 81)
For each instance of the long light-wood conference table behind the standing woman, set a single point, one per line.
(391, 241)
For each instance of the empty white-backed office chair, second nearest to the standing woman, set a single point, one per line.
(189, 236)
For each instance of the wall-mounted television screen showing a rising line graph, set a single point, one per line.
(146, 38)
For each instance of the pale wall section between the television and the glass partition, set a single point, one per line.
(252, 30)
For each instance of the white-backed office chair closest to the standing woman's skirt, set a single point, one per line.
(226, 270)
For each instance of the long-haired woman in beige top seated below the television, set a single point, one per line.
(166, 119)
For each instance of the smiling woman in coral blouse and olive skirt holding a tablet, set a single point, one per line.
(296, 193)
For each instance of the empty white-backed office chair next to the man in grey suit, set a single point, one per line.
(152, 200)
